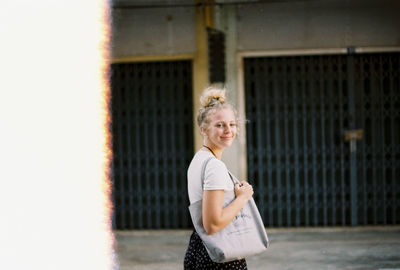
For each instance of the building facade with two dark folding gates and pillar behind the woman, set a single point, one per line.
(316, 81)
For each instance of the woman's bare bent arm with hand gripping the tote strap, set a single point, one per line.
(214, 216)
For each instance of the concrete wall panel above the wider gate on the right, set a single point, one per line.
(318, 24)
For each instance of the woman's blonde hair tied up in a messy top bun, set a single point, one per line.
(211, 100)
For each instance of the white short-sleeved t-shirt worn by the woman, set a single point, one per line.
(216, 176)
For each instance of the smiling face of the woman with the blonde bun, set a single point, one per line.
(221, 130)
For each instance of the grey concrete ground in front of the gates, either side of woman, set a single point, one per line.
(361, 248)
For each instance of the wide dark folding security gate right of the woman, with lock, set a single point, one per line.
(300, 109)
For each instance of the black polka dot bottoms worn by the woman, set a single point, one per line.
(197, 258)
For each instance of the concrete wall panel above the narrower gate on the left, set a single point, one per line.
(153, 31)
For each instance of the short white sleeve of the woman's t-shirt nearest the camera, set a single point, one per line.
(216, 176)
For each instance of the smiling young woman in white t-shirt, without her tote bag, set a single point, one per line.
(218, 124)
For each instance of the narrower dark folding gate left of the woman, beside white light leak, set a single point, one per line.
(152, 143)
